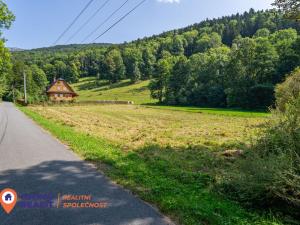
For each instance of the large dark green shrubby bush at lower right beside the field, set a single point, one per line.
(269, 173)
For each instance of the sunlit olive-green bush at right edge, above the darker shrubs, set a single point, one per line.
(289, 90)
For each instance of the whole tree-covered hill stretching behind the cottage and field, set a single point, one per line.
(233, 61)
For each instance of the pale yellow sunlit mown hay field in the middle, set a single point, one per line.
(132, 127)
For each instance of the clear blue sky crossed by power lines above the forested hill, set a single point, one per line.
(40, 22)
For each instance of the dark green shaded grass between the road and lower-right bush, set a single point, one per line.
(179, 180)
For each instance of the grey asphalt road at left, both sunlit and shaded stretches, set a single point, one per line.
(33, 162)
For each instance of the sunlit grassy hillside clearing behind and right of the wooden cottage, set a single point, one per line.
(91, 89)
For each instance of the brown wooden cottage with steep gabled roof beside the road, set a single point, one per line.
(60, 91)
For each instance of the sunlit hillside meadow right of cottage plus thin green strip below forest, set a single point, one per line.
(90, 89)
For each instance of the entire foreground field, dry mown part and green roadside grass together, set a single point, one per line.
(169, 158)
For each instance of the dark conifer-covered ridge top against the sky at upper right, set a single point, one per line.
(246, 25)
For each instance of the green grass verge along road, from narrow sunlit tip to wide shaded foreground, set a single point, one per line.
(158, 177)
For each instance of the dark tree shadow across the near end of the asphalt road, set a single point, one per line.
(76, 178)
